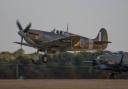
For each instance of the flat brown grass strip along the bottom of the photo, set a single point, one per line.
(64, 84)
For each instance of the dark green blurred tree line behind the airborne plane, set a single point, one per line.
(61, 66)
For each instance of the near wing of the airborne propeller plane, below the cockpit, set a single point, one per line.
(62, 42)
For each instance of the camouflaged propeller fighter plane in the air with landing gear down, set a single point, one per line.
(51, 42)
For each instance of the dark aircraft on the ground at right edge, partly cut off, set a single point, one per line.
(113, 63)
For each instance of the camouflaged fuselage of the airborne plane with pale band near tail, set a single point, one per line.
(80, 43)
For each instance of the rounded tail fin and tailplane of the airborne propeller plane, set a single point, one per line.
(102, 38)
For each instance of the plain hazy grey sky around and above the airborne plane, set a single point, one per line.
(85, 17)
